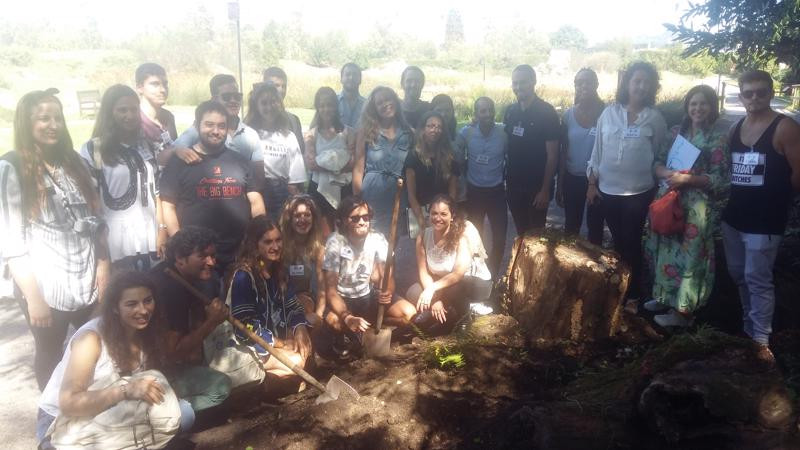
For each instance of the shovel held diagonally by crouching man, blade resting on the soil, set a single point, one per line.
(330, 392)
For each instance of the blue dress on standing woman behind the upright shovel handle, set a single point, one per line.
(385, 160)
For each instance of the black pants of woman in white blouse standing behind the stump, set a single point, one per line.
(625, 215)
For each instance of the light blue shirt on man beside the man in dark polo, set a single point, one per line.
(485, 155)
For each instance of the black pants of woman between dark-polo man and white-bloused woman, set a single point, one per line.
(574, 201)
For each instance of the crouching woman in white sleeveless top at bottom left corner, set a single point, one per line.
(105, 392)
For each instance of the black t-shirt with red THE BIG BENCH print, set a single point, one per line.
(212, 194)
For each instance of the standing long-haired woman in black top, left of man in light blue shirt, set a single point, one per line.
(431, 168)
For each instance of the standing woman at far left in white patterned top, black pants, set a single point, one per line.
(53, 243)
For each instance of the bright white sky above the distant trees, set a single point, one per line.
(599, 20)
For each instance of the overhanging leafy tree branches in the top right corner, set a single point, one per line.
(752, 33)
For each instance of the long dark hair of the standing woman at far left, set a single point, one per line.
(34, 193)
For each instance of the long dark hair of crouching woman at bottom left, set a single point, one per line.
(151, 338)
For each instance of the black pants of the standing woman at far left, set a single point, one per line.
(49, 341)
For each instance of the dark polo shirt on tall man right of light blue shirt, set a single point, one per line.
(527, 132)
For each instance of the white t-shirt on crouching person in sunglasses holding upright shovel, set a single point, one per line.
(354, 265)
